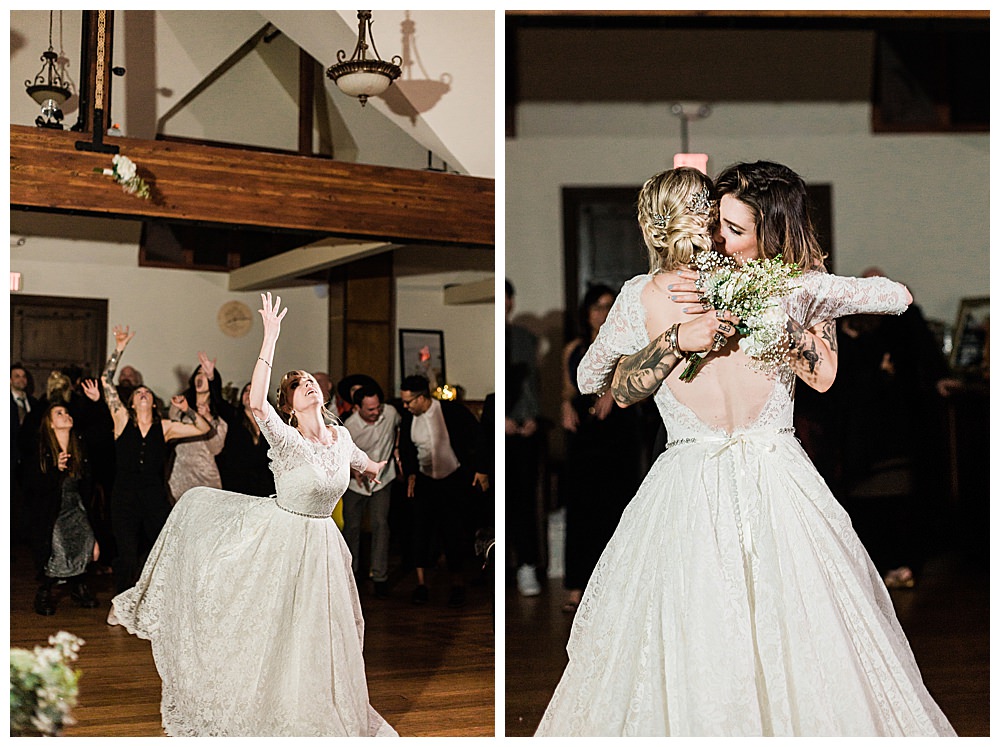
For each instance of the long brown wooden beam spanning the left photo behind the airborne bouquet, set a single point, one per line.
(226, 186)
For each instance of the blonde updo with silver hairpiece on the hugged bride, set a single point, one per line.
(673, 243)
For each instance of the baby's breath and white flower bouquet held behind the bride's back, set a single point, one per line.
(750, 291)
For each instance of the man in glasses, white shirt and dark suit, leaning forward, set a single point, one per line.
(437, 451)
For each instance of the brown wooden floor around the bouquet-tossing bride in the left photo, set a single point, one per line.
(430, 668)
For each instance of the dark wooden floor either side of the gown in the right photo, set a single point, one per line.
(945, 617)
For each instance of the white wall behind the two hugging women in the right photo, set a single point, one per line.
(915, 205)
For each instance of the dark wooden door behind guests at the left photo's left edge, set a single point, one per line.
(48, 333)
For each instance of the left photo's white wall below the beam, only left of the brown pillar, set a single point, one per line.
(173, 312)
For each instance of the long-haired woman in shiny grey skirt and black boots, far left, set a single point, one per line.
(60, 481)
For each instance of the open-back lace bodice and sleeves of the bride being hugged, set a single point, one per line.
(727, 395)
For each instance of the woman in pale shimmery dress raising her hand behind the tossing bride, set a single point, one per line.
(194, 458)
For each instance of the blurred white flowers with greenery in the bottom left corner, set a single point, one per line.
(43, 687)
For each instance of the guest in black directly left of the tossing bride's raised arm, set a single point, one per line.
(244, 463)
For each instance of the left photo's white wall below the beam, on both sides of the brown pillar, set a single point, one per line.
(174, 314)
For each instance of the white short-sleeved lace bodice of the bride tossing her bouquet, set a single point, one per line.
(309, 477)
